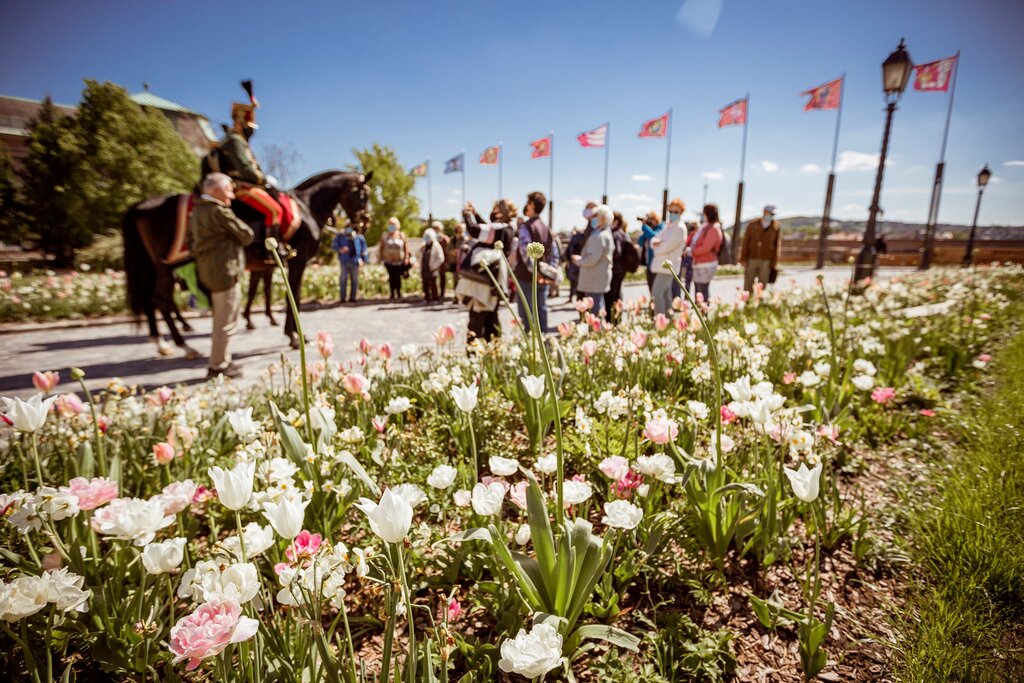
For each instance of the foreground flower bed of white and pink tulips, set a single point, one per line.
(673, 499)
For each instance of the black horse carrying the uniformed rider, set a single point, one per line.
(149, 229)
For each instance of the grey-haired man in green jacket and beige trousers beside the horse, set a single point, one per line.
(218, 240)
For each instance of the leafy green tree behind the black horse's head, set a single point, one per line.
(391, 192)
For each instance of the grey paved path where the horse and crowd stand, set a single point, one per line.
(120, 351)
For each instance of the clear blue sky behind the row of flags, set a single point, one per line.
(434, 78)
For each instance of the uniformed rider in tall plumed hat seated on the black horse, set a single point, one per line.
(235, 158)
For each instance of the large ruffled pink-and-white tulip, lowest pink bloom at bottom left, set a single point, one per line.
(208, 631)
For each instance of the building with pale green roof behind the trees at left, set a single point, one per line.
(18, 113)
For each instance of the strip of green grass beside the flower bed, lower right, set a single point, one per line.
(966, 623)
